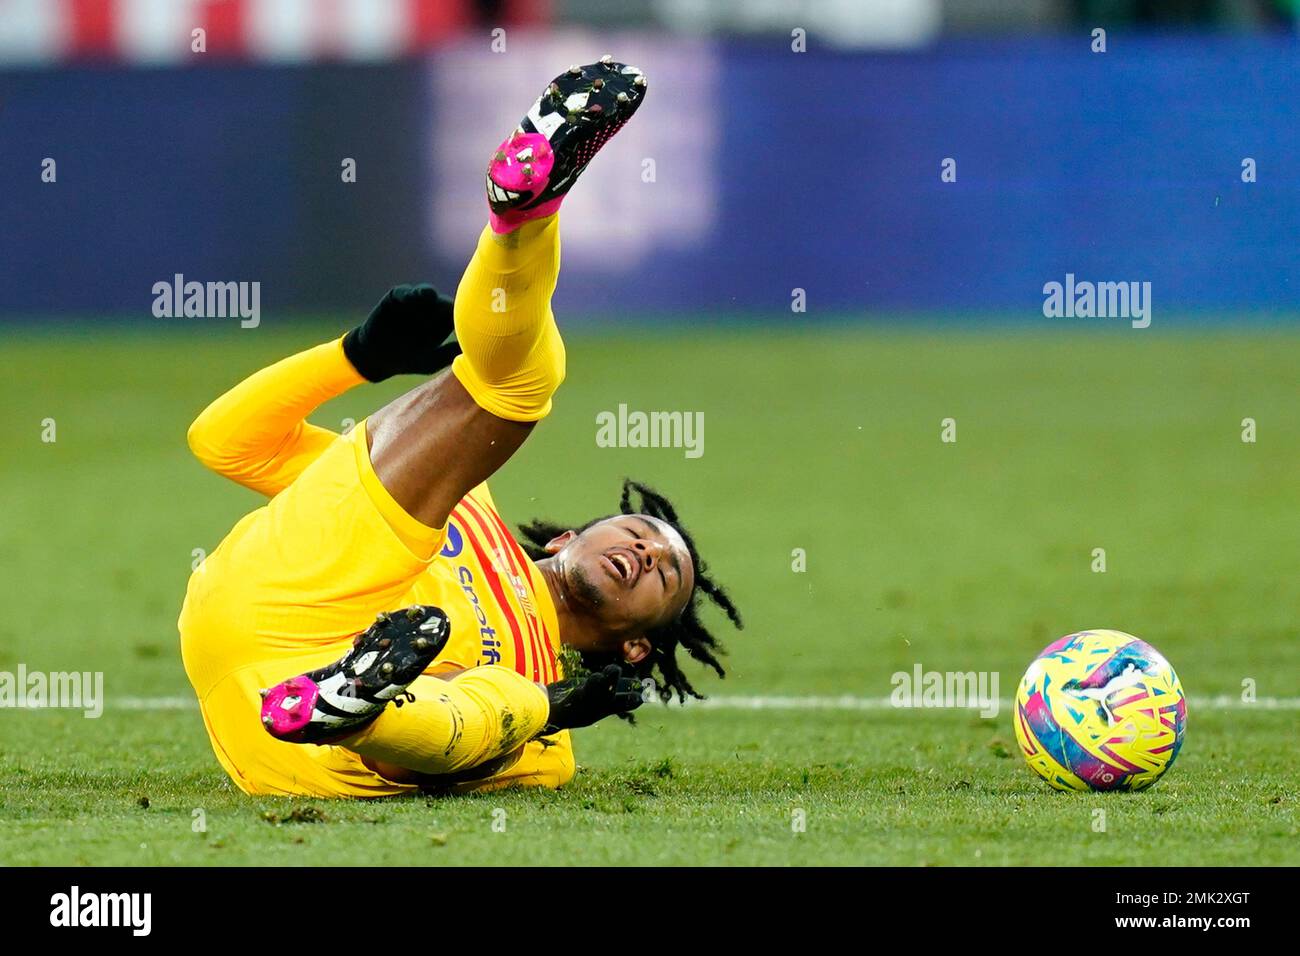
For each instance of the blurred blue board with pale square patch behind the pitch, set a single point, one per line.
(755, 171)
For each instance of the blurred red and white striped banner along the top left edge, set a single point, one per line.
(163, 32)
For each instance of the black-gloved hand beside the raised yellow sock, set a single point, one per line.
(404, 335)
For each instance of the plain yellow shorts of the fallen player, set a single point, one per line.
(287, 591)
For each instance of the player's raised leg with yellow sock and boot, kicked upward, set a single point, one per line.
(437, 443)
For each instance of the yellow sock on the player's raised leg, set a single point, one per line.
(513, 356)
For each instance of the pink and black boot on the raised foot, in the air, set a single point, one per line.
(536, 167)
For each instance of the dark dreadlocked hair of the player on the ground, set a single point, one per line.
(687, 631)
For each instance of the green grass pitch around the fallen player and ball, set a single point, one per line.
(968, 556)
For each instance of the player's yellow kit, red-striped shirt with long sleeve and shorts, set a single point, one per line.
(294, 581)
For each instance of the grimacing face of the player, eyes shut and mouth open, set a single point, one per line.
(634, 573)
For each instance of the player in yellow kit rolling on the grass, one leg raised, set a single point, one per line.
(465, 689)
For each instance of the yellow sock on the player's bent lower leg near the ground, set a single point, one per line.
(454, 725)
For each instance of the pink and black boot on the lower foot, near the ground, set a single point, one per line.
(336, 702)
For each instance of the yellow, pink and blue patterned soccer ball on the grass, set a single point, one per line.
(1100, 711)
